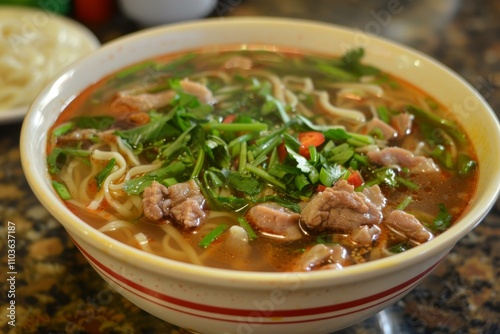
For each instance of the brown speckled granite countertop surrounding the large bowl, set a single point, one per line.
(57, 291)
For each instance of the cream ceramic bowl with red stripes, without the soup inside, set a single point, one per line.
(219, 301)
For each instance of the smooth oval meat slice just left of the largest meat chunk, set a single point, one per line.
(275, 221)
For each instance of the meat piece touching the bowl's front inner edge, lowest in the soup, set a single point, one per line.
(321, 256)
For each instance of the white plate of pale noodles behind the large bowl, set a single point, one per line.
(35, 46)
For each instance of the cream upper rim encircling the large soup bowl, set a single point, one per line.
(244, 279)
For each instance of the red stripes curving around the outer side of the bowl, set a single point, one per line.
(272, 315)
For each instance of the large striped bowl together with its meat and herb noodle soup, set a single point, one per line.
(234, 296)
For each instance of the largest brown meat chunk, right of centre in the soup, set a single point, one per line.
(341, 208)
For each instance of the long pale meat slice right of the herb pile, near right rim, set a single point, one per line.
(396, 156)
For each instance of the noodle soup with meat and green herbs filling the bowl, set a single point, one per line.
(262, 160)
